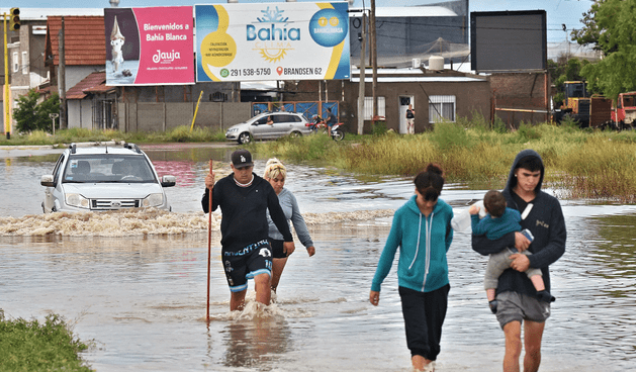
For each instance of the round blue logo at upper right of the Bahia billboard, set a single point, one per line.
(328, 27)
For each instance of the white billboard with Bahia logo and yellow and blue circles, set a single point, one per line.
(283, 41)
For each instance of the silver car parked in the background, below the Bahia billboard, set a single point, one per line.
(282, 124)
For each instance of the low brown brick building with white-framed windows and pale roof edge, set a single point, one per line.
(435, 95)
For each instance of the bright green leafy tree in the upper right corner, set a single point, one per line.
(610, 26)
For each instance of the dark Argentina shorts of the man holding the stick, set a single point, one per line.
(246, 263)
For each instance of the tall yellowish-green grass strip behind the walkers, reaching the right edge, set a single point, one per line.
(582, 163)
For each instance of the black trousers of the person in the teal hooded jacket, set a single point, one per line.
(424, 314)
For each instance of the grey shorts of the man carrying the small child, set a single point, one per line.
(513, 306)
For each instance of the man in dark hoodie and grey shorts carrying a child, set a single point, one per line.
(517, 300)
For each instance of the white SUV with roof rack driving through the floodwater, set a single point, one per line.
(104, 178)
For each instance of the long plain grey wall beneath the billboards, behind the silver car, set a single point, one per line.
(152, 117)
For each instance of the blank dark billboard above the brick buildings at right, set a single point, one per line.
(508, 41)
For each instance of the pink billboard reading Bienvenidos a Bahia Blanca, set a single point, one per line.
(149, 46)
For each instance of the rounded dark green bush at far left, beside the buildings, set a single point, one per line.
(30, 115)
